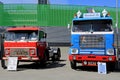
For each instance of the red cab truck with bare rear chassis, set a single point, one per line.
(28, 44)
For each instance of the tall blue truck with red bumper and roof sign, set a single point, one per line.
(92, 39)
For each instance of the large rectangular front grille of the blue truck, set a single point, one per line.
(92, 41)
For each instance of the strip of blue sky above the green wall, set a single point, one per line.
(109, 3)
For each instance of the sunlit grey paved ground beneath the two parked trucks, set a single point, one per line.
(56, 71)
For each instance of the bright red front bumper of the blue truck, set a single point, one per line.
(92, 59)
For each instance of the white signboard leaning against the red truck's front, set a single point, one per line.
(12, 63)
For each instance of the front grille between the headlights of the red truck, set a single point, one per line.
(19, 52)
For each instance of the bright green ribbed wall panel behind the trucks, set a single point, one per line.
(43, 15)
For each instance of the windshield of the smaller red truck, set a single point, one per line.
(21, 36)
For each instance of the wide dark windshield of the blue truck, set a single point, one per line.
(92, 25)
